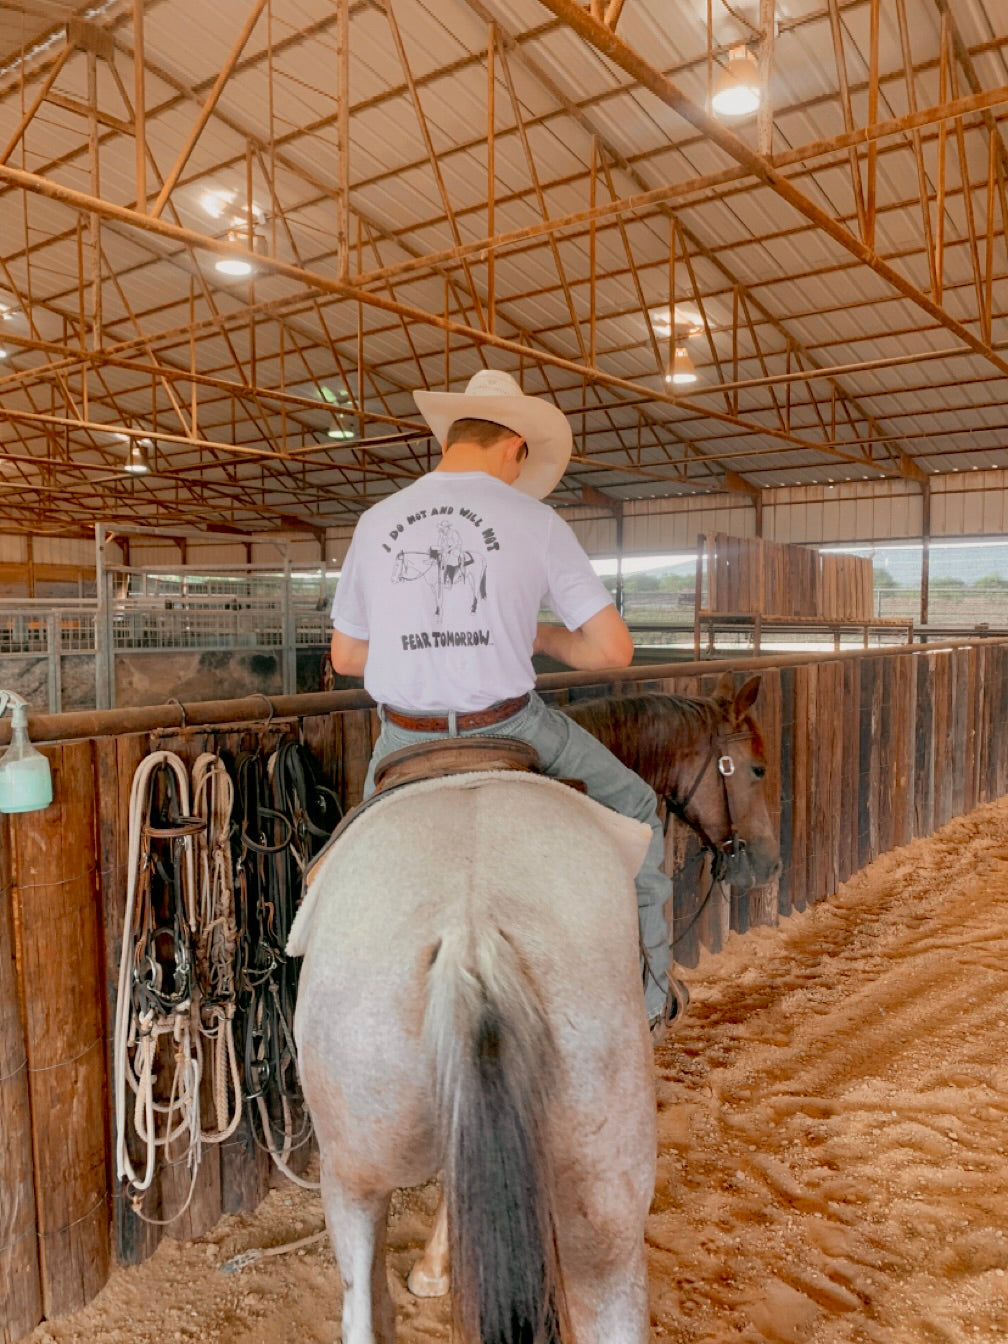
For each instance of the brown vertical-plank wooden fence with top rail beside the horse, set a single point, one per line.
(866, 752)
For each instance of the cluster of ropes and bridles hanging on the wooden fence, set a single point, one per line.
(204, 972)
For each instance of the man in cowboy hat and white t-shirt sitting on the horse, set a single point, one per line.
(503, 454)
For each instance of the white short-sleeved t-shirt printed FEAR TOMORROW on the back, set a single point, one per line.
(446, 580)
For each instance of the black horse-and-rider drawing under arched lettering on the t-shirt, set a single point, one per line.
(452, 571)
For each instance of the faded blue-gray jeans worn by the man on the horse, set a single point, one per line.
(568, 752)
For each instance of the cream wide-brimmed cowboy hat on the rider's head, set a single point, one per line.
(494, 396)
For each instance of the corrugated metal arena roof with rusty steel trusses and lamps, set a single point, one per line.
(816, 365)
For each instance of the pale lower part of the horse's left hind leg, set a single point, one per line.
(358, 1234)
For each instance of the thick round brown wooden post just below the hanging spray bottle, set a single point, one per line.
(56, 909)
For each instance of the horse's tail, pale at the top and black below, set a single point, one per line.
(495, 1060)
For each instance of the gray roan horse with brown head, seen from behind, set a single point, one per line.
(471, 1002)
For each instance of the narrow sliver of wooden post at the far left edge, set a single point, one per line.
(21, 1296)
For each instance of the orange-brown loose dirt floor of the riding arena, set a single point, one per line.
(833, 1131)
